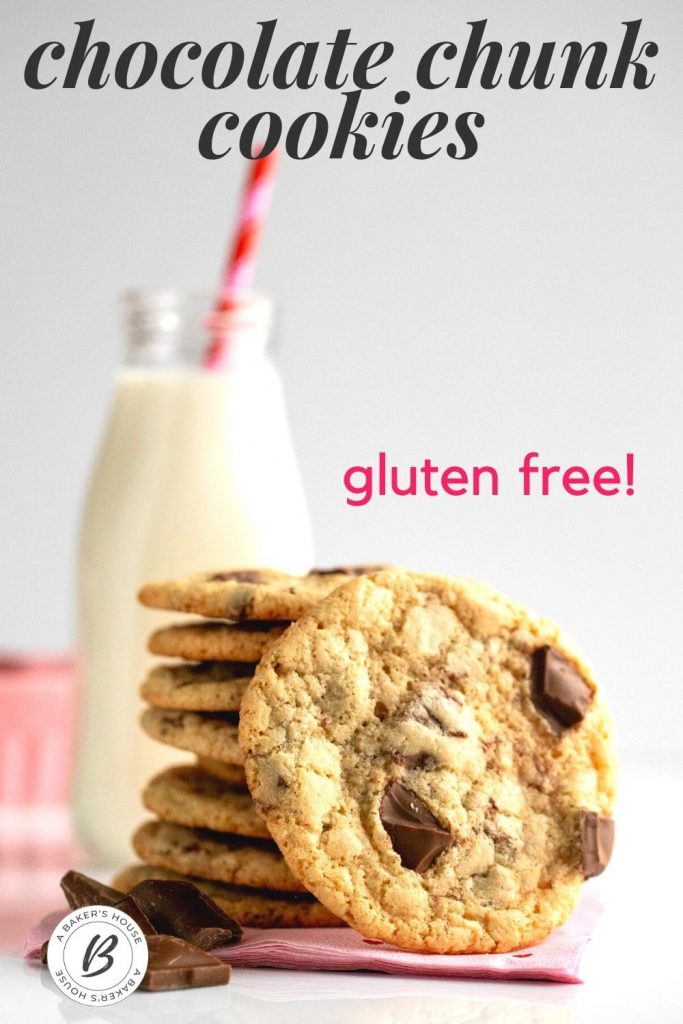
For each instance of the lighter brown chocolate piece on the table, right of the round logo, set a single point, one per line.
(176, 964)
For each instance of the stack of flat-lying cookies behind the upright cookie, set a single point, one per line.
(207, 827)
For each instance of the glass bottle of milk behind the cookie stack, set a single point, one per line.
(196, 472)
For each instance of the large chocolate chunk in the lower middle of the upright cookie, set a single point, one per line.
(415, 833)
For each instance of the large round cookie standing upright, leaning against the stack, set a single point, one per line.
(434, 761)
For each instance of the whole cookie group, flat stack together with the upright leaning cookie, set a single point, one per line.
(426, 760)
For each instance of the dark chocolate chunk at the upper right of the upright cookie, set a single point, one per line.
(559, 692)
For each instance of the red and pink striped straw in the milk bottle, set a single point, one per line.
(241, 264)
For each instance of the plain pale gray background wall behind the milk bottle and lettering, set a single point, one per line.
(528, 298)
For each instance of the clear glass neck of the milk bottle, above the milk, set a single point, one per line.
(177, 330)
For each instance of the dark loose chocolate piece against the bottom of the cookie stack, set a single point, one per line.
(180, 909)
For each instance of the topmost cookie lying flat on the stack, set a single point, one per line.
(240, 594)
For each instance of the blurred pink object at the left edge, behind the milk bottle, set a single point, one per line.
(36, 731)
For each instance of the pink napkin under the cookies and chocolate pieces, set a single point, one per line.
(344, 950)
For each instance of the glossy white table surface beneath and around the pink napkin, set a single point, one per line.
(633, 968)
